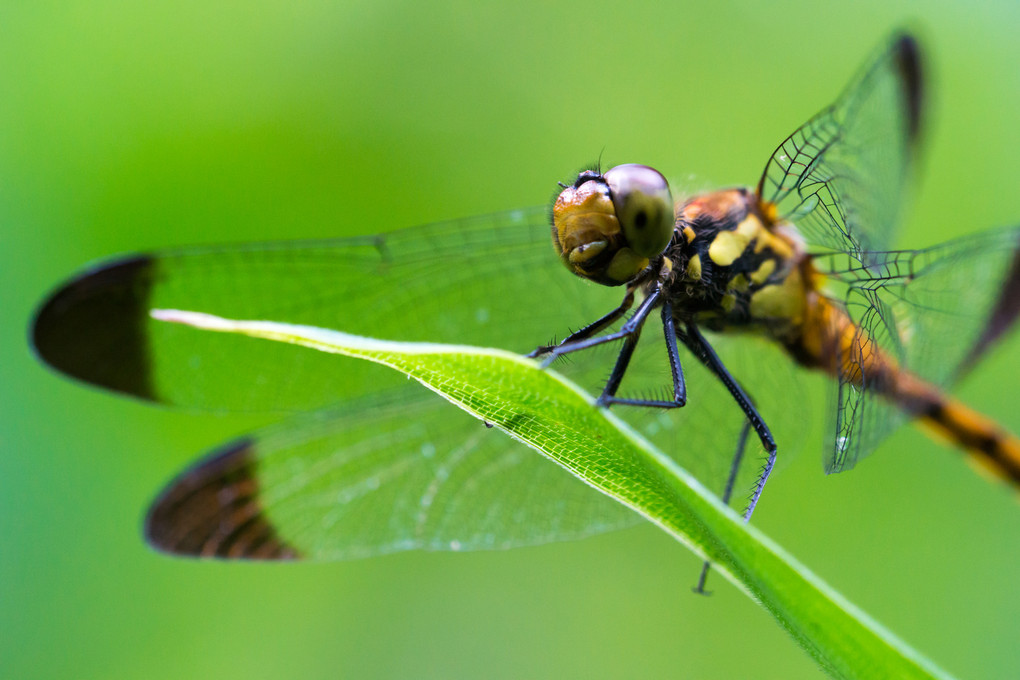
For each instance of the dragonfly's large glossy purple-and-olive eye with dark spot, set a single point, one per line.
(644, 207)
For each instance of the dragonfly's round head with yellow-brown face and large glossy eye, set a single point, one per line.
(607, 227)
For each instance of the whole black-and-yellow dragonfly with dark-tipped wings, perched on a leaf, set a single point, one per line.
(756, 286)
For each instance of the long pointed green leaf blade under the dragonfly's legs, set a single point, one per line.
(553, 416)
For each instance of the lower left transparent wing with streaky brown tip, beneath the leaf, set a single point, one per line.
(378, 477)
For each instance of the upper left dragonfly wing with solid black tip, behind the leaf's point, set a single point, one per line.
(490, 282)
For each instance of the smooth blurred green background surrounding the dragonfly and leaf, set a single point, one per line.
(135, 126)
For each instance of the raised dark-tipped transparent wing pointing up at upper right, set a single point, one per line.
(842, 176)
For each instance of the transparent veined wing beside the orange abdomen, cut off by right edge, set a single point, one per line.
(935, 311)
